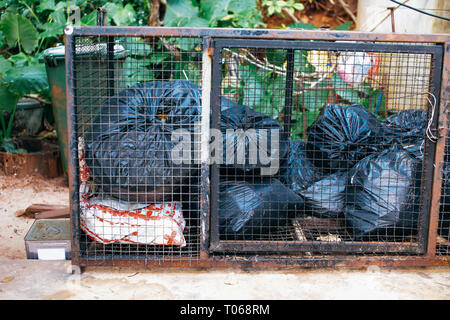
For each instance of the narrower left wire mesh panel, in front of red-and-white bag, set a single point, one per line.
(138, 109)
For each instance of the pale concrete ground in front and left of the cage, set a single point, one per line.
(34, 279)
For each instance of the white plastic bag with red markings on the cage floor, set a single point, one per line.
(115, 221)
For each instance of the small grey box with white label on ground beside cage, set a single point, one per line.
(49, 239)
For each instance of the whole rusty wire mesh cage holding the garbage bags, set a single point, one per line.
(257, 148)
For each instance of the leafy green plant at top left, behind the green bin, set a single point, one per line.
(27, 28)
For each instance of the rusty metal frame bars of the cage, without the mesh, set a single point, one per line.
(422, 254)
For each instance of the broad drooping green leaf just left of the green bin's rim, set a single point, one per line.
(28, 79)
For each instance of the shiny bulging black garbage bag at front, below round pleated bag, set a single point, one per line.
(382, 195)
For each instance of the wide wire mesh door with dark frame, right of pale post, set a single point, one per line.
(324, 147)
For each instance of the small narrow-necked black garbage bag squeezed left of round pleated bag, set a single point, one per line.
(299, 173)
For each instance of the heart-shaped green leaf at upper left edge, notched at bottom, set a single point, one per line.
(19, 30)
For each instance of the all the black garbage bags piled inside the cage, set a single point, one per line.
(352, 167)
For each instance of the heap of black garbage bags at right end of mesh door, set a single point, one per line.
(367, 171)
